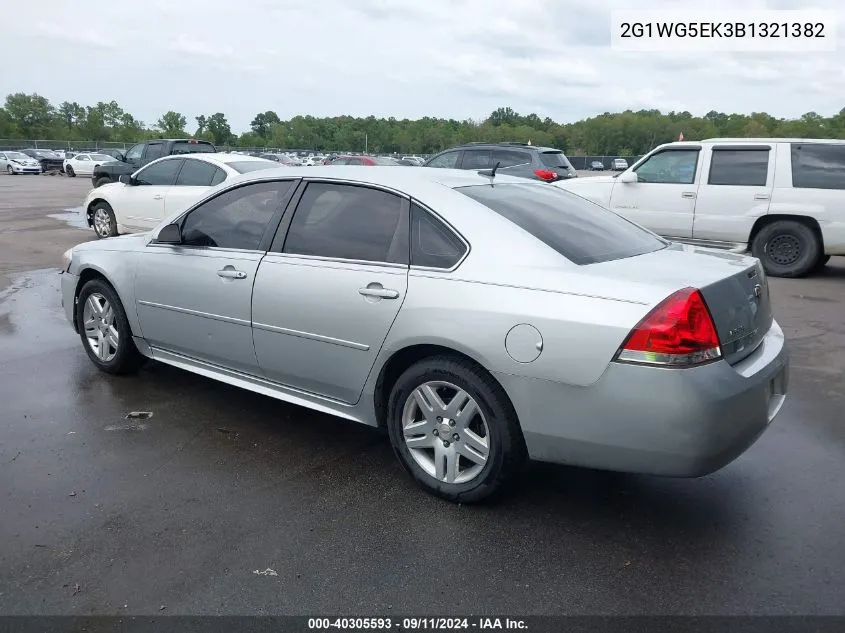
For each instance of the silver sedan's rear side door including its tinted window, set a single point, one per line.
(325, 299)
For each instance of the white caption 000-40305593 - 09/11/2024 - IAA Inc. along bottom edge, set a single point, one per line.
(416, 624)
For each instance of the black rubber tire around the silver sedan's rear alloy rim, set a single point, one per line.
(507, 452)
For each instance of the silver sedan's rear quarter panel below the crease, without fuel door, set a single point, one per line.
(580, 334)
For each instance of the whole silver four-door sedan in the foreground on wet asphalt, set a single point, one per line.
(480, 320)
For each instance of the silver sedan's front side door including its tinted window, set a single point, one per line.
(194, 298)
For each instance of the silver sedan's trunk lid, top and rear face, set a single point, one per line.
(734, 287)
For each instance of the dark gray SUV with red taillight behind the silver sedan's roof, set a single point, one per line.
(515, 159)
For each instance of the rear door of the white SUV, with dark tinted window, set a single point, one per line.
(737, 191)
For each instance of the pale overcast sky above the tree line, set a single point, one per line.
(401, 58)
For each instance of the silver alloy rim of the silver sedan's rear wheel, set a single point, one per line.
(446, 432)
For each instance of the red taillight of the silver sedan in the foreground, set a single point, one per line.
(678, 332)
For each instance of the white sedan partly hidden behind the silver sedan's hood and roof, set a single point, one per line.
(138, 202)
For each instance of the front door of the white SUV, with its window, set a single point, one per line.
(663, 198)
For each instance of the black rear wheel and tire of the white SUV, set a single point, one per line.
(787, 248)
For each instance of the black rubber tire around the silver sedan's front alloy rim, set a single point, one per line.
(127, 359)
